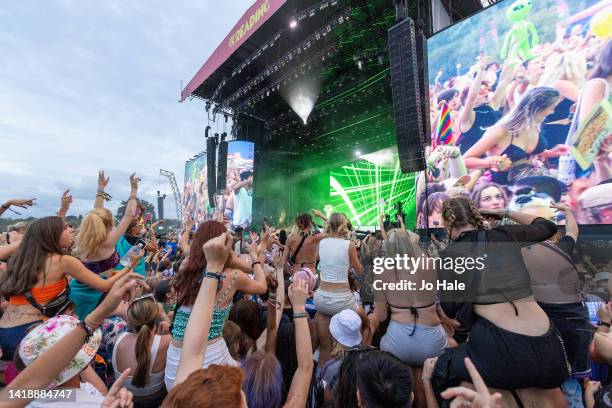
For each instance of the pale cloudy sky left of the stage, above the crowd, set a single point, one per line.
(89, 85)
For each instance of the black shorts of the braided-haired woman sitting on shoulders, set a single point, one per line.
(504, 359)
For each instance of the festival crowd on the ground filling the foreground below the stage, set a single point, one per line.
(124, 318)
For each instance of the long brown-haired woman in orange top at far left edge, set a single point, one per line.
(37, 275)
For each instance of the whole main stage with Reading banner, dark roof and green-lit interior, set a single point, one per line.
(327, 57)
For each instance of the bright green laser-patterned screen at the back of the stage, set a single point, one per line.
(357, 188)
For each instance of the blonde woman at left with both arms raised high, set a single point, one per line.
(95, 244)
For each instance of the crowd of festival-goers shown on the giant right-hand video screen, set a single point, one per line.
(522, 134)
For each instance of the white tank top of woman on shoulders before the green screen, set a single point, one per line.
(334, 260)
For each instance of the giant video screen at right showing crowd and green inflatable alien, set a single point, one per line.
(521, 111)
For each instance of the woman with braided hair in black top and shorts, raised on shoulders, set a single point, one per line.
(511, 340)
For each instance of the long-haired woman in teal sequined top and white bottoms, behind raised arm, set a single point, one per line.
(187, 285)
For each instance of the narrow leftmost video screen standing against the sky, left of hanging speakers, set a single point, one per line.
(195, 193)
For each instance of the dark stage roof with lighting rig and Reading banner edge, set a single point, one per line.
(338, 47)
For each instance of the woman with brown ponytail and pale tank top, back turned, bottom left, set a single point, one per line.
(144, 352)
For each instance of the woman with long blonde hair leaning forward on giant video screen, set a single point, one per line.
(516, 136)
